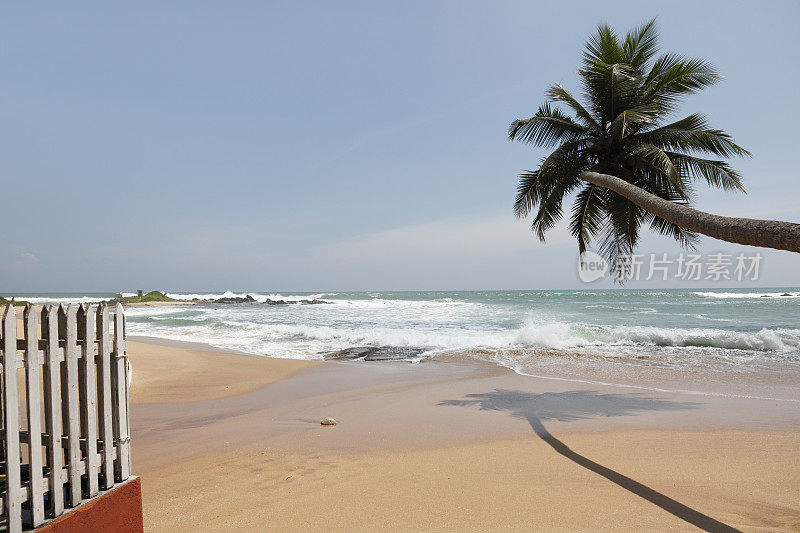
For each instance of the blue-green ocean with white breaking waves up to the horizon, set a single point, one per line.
(611, 334)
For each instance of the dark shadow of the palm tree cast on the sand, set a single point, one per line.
(582, 404)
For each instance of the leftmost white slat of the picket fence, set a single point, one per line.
(13, 498)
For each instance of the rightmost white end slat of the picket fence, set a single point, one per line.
(120, 381)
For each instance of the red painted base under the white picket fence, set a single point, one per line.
(118, 510)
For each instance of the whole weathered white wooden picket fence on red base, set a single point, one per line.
(64, 410)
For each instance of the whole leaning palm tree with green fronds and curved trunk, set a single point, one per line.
(627, 165)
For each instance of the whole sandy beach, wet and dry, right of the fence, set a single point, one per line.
(228, 442)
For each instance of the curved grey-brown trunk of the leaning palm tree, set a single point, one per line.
(765, 233)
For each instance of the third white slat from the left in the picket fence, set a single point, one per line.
(52, 408)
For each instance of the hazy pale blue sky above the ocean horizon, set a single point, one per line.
(336, 145)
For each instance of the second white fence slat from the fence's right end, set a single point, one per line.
(104, 393)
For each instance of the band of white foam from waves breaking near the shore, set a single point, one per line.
(307, 339)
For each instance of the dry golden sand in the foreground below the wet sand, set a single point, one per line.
(515, 484)
